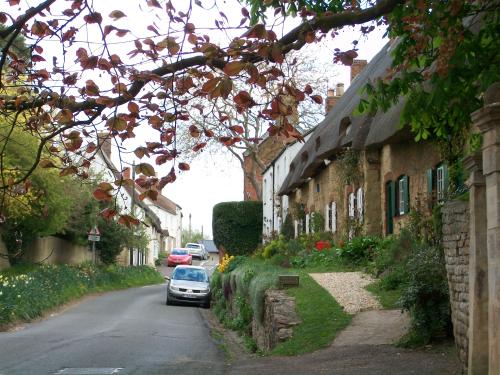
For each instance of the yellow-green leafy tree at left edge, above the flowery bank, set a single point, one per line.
(38, 207)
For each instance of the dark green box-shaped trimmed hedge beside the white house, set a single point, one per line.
(237, 226)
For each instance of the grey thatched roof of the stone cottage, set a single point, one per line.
(342, 128)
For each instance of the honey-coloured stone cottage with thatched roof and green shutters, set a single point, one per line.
(364, 173)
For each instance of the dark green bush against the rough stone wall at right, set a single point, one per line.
(426, 296)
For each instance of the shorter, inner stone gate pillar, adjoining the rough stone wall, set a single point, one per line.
(478, 269)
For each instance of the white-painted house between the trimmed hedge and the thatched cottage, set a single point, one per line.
(275, 208)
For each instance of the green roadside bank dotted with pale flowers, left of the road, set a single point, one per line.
(28, 295)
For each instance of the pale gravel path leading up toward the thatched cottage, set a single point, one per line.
(348, 290)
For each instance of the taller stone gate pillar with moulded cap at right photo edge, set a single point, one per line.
(487, 119)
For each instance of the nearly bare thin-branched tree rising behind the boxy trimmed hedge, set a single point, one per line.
(239, 132)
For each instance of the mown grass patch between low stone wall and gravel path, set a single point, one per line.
(321, 319)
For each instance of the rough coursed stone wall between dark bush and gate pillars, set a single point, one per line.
(456, 249)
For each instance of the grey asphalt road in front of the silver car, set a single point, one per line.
(125, 332)
